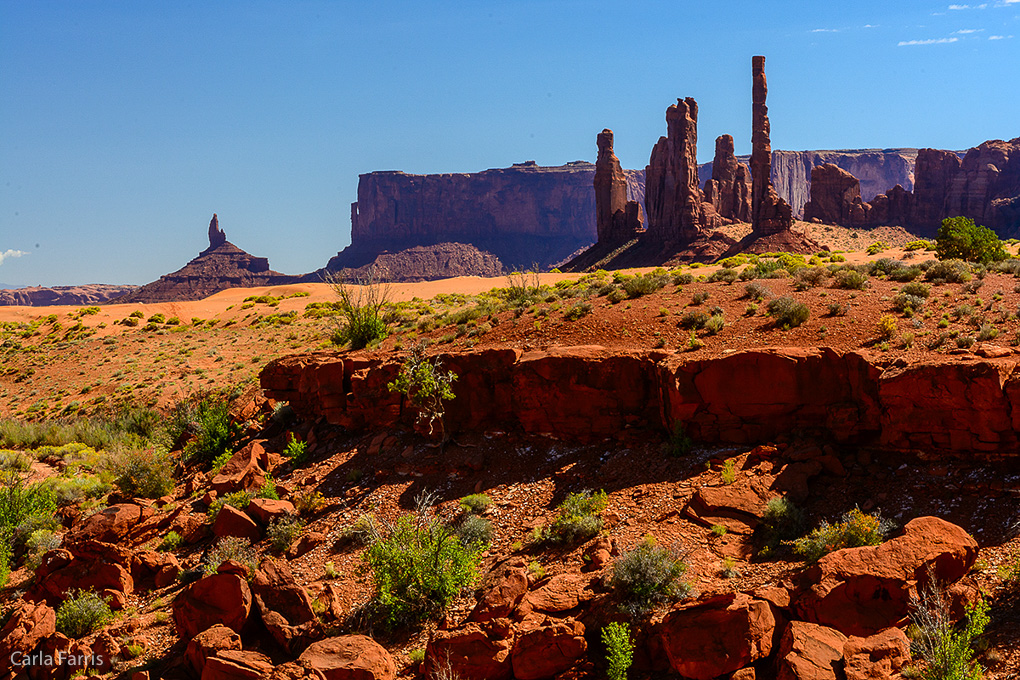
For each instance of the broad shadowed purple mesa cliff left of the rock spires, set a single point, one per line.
(522, 215)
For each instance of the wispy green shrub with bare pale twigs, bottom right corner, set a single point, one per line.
(947, 649)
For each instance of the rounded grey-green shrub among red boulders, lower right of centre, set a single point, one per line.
(647, 576)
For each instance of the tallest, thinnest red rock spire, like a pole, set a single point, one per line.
(771, 215)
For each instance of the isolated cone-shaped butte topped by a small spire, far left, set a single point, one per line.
(223, 266)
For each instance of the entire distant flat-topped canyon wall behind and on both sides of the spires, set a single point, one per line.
(529, 214)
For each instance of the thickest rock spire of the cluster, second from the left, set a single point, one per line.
(673, 197)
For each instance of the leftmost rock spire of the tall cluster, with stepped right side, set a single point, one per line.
(617, 219)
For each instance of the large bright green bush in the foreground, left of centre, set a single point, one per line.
(420, 567)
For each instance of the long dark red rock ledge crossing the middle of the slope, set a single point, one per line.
(967, 409)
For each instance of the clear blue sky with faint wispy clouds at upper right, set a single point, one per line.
(127, 125)
